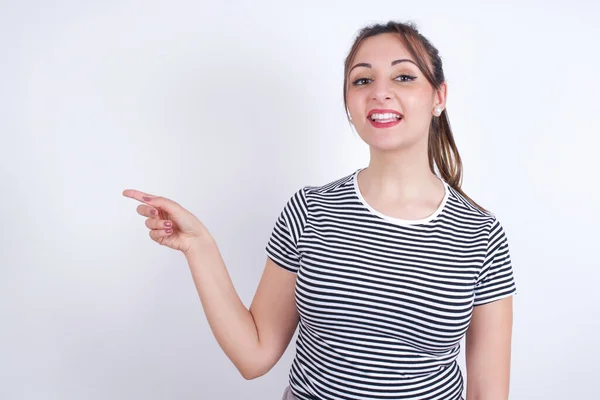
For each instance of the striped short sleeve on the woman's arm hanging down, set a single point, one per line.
(495, 280)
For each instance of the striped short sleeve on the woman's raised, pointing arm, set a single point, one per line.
(282, 246)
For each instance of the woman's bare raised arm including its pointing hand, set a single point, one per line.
(255, 339)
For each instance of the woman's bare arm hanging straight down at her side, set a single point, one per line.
(488, 347)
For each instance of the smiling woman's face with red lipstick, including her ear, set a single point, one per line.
(385, 83)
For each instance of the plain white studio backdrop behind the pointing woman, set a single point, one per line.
(228, 108)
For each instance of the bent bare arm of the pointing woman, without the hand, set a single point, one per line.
(254, 339)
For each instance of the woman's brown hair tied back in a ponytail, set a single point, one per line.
(441, 148)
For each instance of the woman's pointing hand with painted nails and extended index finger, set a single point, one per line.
(170, 224)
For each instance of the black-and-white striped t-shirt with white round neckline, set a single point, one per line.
(385, 302)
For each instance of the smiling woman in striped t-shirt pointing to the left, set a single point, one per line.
(386, 269)
